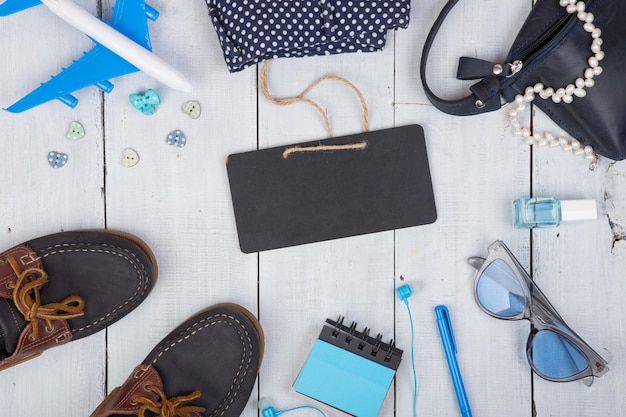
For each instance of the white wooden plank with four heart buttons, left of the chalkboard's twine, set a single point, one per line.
(178, 199)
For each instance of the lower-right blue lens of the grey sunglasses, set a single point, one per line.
(556, 357)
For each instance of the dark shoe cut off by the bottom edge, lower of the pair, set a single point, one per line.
(207, 366)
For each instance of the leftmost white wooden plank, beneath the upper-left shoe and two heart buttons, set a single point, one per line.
(39, 200)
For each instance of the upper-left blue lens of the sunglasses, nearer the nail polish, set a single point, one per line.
(499, 291)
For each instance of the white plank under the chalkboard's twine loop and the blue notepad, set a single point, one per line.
(300, 287)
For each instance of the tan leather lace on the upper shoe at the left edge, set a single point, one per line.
(28, 301)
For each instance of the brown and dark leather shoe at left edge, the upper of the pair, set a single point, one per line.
(66, 286)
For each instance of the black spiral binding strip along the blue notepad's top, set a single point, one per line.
(361, 343)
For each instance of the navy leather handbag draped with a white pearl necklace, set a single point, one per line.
(568, 59)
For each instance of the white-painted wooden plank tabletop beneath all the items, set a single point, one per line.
(178, 200)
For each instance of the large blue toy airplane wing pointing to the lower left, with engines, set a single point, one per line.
(95, 67)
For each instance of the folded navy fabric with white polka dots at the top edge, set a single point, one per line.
(251, 31)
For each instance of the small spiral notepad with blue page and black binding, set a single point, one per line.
(349, 370)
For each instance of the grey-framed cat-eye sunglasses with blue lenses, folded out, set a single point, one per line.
(504, 290)
